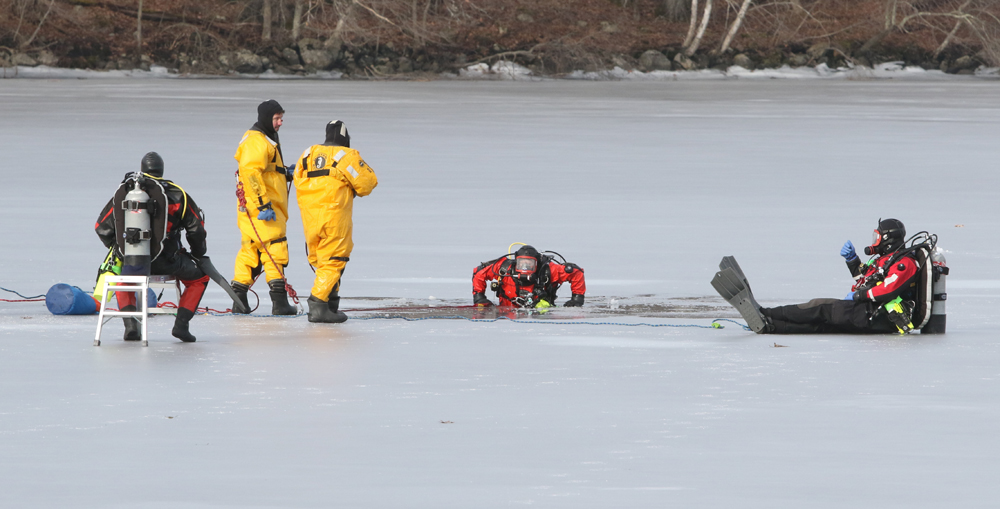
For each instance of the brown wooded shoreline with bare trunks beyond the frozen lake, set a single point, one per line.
(561, 33)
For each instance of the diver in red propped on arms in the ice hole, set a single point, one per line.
(527, 279)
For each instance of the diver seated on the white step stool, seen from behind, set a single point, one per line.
(181, 214)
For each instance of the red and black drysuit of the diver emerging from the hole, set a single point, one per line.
(550, 276)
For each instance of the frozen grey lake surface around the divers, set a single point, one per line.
(644, 184)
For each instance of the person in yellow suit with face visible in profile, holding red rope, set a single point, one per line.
(263, 209)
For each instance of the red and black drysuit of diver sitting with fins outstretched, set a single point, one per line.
(878, 282)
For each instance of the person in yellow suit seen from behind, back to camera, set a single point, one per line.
(327, 179)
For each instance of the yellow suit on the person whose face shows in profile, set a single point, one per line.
(262, 175)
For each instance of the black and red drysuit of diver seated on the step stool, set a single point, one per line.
(182, 215)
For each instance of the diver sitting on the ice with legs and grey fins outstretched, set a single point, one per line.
(880, 301)
